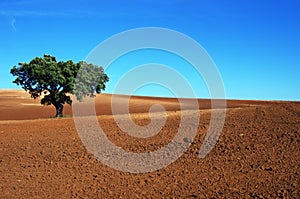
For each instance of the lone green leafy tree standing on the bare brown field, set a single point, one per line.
(57, 79)
